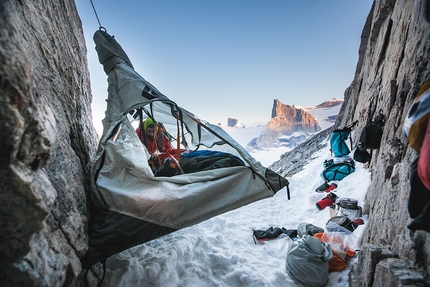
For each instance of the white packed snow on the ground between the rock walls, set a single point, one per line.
(221, 251)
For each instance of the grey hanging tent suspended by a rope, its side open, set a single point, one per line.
(129, 205)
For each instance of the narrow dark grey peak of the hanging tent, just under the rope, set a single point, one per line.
(110, 51)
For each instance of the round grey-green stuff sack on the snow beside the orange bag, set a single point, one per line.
(307, 261)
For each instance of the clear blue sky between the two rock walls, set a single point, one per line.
(230, 59)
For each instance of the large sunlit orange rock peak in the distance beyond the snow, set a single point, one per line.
(288, 119)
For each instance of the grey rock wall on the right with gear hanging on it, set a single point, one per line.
(393, 64)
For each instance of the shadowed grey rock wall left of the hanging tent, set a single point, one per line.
(47, 142)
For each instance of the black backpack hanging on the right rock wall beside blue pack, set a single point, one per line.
(370, 138)
